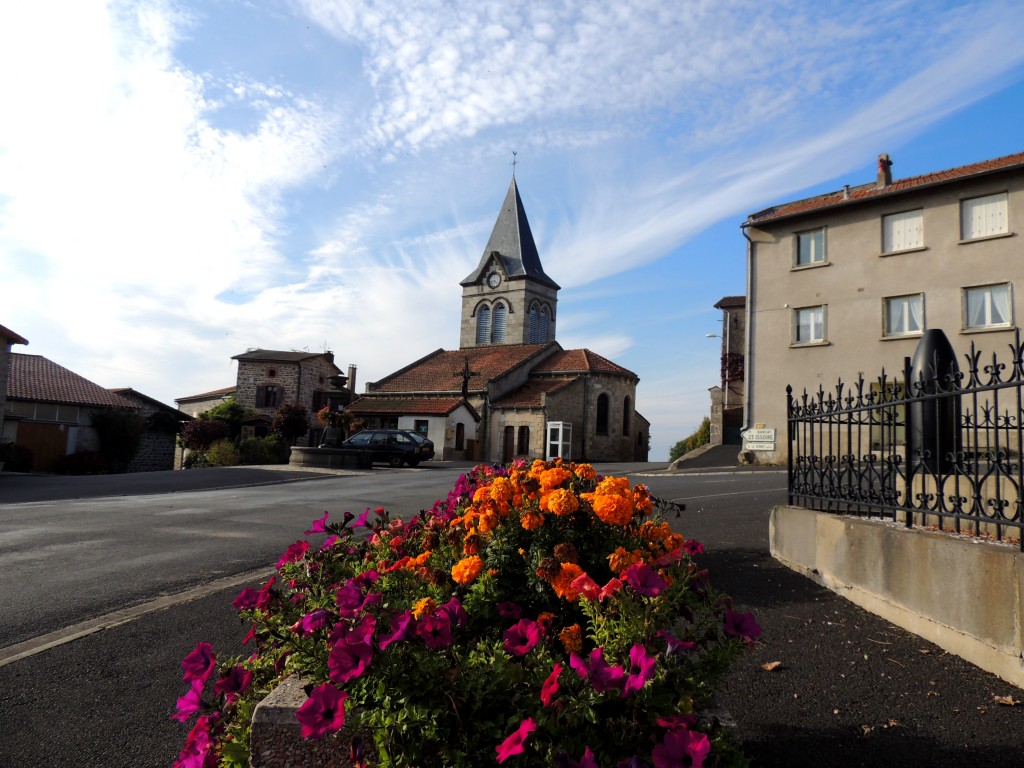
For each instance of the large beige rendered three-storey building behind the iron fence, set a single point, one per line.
(844, 284)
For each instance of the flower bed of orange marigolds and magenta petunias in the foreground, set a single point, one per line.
(539, 616)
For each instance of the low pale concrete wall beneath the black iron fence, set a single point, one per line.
(963, 594)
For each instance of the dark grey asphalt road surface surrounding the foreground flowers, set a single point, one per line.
(849, 690)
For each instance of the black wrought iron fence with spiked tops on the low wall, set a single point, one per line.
(940, 448)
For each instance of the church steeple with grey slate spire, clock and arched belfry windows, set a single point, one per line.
(509, 300)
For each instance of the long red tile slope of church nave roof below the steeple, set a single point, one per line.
(441, 371)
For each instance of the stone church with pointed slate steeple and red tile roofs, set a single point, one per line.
(510, 390)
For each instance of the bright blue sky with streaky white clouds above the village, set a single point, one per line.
(181, 182)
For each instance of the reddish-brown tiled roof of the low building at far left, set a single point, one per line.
(35, 378)
